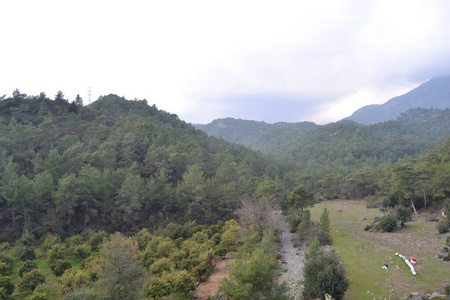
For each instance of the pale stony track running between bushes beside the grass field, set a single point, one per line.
(291, 258)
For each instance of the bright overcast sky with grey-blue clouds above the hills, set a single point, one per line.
(272, 61)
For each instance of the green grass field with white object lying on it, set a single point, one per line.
(364, 253)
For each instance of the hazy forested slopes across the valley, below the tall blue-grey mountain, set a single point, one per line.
(325, 153)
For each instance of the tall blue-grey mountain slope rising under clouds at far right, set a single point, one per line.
(434, 93)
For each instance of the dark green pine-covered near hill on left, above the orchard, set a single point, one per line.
(115, 165)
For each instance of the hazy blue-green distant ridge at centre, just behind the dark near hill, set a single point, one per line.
(254, 134)
